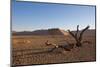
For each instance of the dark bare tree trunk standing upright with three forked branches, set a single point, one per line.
(78, 36)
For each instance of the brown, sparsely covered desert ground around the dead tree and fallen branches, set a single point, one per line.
(31, 49)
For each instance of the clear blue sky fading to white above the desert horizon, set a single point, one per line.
(29, 16)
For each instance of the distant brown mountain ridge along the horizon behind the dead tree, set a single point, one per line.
(53, 31)
